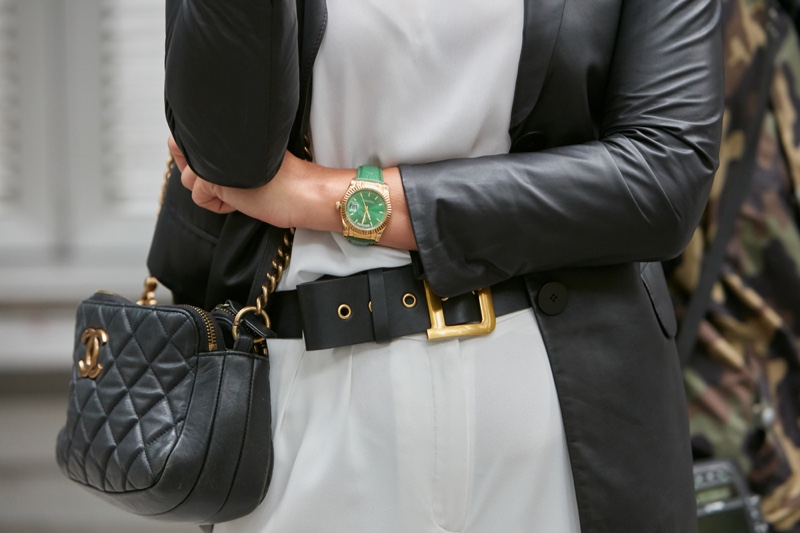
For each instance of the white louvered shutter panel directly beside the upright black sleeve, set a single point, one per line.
(134, 131)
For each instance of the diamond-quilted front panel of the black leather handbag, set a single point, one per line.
(115, 441)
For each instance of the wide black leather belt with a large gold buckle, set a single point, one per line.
(383, 304)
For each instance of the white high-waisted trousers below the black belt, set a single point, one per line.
(415, 436)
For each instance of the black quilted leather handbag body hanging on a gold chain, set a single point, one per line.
(172, 427)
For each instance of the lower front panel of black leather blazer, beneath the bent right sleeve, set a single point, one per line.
(621, 394)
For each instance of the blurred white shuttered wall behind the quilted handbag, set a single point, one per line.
(82, 153)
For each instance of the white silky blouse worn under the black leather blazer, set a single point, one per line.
(410, 81)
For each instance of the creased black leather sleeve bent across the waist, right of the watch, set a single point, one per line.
(635, 193)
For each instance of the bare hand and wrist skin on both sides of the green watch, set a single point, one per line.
(302, 194)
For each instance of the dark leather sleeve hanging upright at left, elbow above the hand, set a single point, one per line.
(231, 89)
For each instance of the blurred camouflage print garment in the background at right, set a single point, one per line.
(743, 379)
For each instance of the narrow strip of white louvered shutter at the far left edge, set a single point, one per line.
(9, 103)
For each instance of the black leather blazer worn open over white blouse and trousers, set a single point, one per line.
(615, 129)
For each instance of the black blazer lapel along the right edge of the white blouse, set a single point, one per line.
(542, 22)
